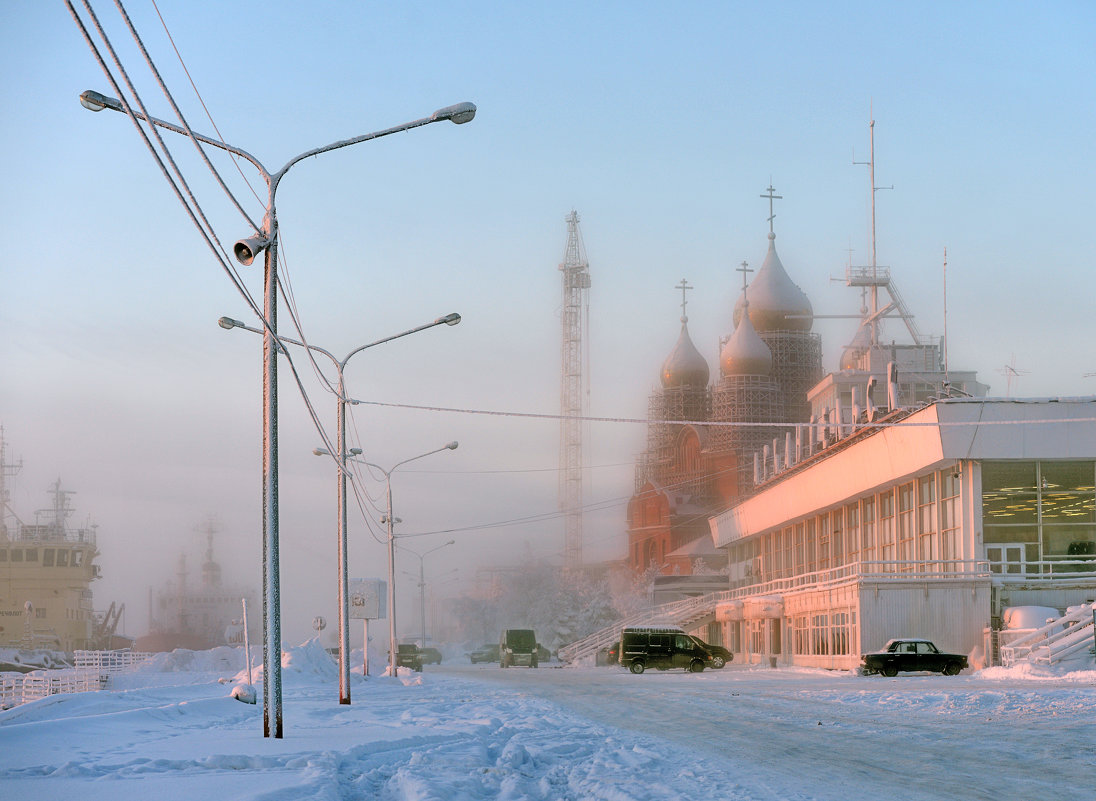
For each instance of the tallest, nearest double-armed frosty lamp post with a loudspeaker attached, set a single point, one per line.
(246, 250)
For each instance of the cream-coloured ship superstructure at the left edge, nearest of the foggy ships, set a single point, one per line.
(47, 570)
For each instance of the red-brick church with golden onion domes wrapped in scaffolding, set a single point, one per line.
(703, 436)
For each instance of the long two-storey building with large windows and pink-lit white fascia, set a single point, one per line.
(924, 523)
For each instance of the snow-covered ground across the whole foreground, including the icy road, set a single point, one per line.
(461, 731)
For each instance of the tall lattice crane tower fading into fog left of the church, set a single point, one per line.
(574, 382)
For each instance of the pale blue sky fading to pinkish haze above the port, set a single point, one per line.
(661, 125)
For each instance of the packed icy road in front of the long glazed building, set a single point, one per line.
(792, 734)
